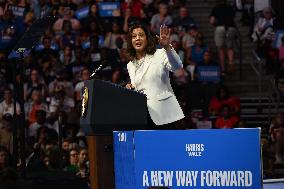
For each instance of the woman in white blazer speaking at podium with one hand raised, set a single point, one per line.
(149, 72)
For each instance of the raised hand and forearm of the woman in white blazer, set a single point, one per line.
(173, 61)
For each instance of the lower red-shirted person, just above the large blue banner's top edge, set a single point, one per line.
(226, 118)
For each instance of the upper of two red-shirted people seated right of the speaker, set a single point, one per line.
(223, 97)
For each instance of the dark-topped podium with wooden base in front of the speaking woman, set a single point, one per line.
(107, 107)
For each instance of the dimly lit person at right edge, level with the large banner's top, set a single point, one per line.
(276, 131)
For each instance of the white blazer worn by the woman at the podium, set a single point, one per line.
(152, 78)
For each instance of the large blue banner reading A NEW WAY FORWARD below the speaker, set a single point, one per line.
(194, 159)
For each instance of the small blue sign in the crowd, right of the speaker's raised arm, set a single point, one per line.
(208, 73)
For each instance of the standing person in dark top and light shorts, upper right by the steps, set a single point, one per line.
(222, 18)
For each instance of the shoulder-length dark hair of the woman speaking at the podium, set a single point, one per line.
(151, 42)
